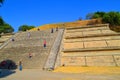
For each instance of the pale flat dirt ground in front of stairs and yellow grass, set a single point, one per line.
(35, 74)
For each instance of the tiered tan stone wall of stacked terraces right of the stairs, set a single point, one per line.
(90, 46)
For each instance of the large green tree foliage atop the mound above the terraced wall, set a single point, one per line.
(113, 18)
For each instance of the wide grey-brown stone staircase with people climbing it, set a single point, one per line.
(23, 45)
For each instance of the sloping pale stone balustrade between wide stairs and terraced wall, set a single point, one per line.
(50, 63)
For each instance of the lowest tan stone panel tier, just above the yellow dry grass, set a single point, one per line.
(95, 60)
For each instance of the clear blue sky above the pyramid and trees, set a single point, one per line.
(40, 12)
